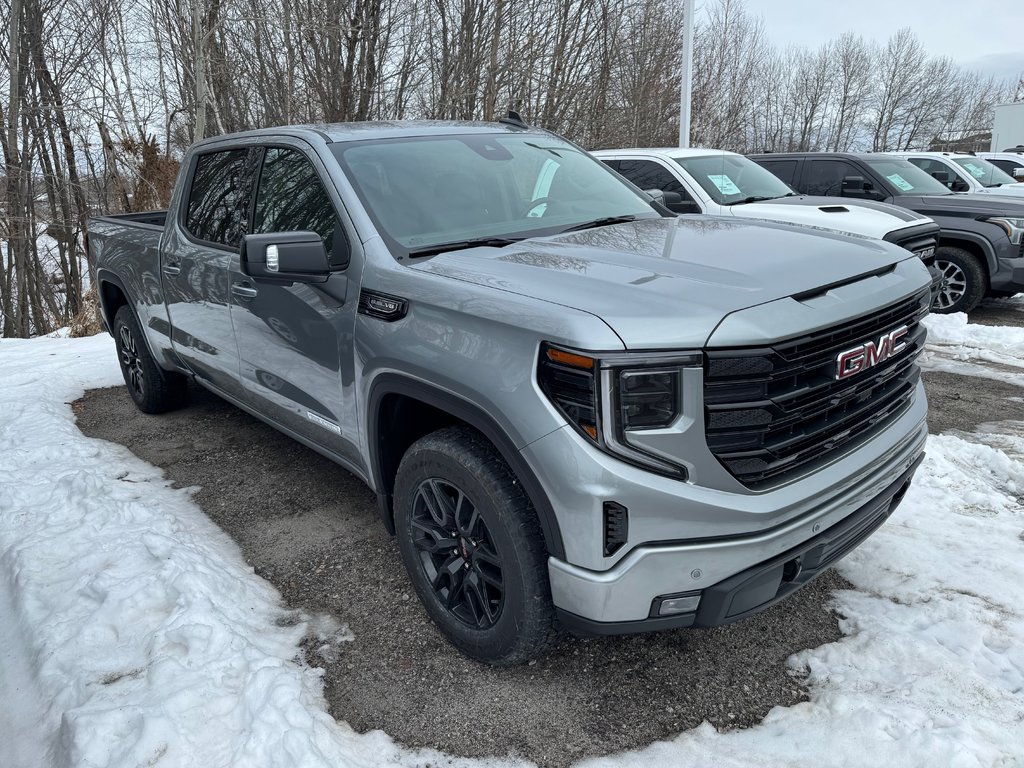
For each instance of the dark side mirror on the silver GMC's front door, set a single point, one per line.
(285, 258)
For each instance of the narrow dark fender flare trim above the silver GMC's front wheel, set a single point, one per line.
(475, 416)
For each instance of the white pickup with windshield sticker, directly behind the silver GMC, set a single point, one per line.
(724, 184)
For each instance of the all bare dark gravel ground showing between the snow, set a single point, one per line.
(312, 530)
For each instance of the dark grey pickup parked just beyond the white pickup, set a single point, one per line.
(980, 244)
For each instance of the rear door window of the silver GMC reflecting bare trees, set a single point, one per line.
(219, 200)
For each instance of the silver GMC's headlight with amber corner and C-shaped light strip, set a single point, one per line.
(613, 399)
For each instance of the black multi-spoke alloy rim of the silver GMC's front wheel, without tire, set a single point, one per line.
(457, 553)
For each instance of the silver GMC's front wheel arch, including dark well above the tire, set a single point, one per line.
(403, 410)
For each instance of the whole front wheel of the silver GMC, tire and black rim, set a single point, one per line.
(487, 587)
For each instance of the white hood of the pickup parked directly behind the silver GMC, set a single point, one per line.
(872, 220)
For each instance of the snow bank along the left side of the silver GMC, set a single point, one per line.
(135, 633)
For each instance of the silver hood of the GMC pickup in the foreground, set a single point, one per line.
(668, 283)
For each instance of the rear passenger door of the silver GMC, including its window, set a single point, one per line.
(201, 249)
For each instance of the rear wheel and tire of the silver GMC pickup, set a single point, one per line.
(153, 390)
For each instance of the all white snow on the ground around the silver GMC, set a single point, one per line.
(136, 634)
